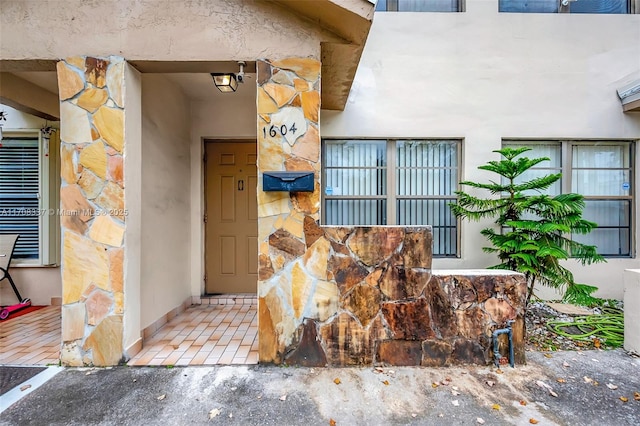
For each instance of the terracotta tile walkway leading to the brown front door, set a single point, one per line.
(204, 335)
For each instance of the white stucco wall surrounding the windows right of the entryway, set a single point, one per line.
(483, 76)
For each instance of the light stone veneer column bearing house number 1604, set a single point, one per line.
(288, 104)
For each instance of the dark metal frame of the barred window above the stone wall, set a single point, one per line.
(392, 197)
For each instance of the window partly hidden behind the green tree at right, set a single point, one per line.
(602, 172)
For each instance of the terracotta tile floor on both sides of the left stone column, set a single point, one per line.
(204, 334)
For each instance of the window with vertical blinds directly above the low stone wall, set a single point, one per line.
(393, 182)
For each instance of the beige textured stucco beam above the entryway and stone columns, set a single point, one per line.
(155, 30)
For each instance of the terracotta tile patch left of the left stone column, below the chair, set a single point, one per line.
(31, 339)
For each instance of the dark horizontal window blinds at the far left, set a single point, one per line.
(19, 189)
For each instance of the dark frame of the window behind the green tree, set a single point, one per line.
(567, 168)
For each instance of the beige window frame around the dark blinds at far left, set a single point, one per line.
(48, 196)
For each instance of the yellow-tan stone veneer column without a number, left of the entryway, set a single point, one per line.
(93, 214)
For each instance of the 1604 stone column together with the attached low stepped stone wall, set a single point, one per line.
(359, 295)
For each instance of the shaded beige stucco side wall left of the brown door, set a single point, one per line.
(165, 198)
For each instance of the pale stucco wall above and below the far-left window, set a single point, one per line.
(39, 284)
